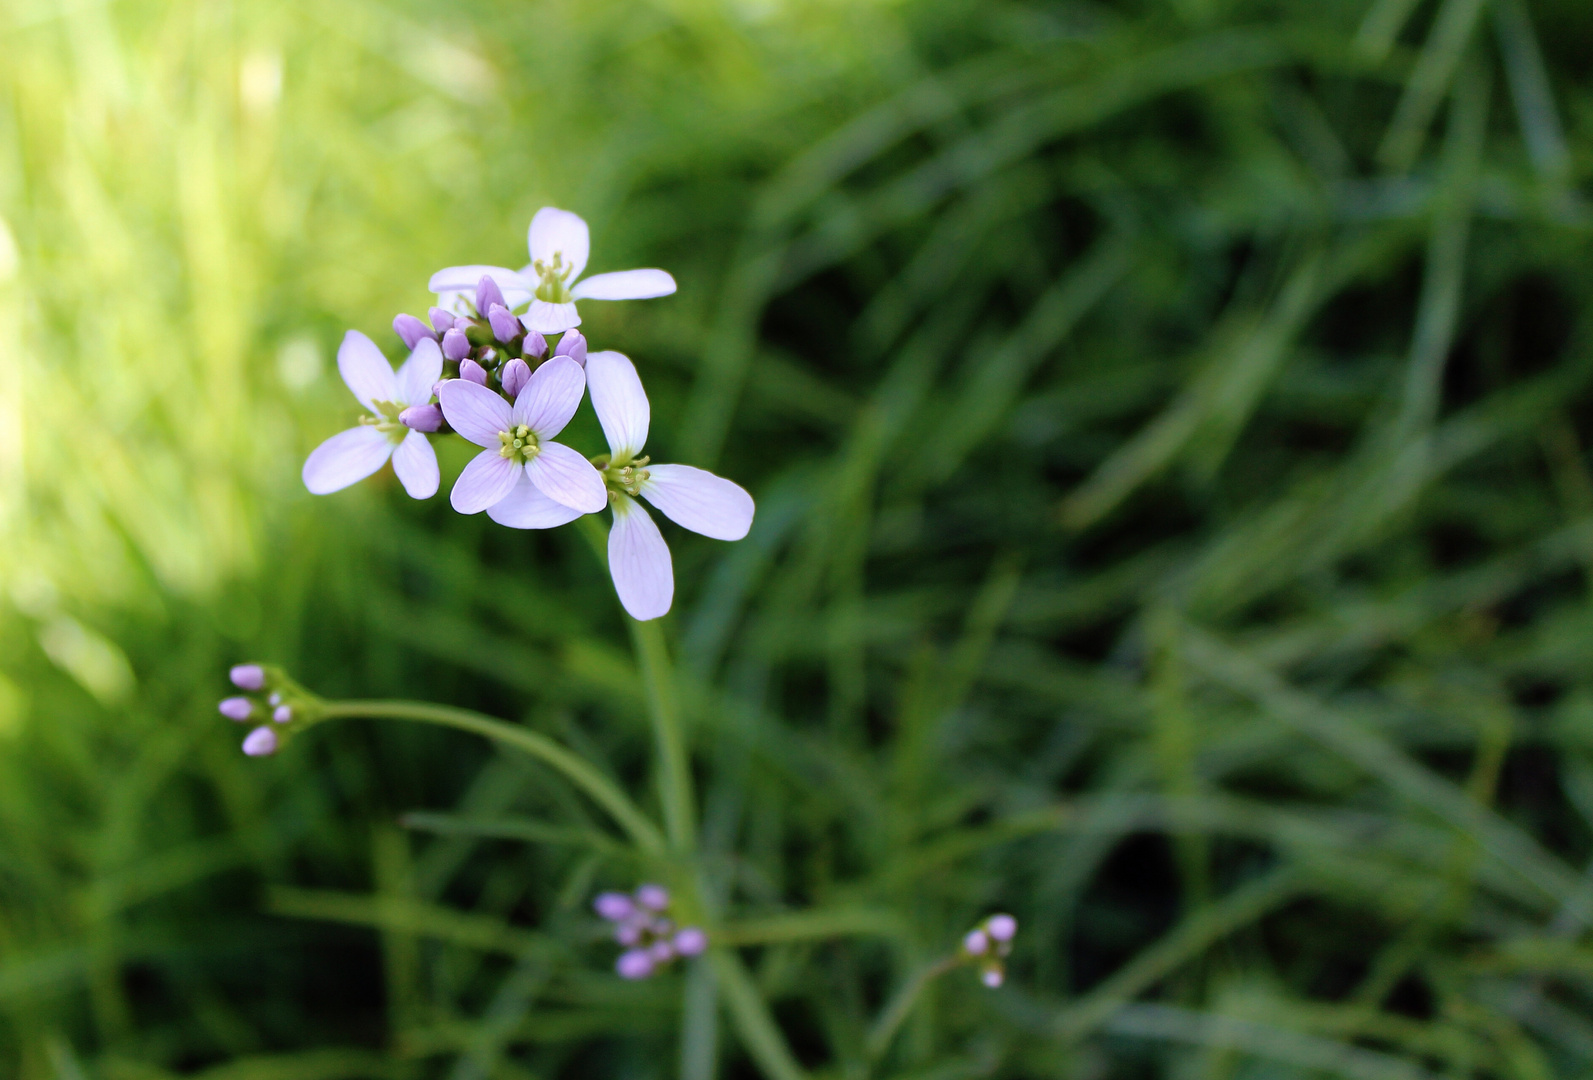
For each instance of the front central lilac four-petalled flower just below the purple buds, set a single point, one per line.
(539, 482)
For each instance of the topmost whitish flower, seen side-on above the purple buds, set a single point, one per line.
(552, 283)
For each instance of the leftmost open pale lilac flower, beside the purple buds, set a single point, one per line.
(354, 455)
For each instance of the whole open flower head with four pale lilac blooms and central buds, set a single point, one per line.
(490, 375)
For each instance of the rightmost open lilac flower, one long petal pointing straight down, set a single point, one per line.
(638, 557)
